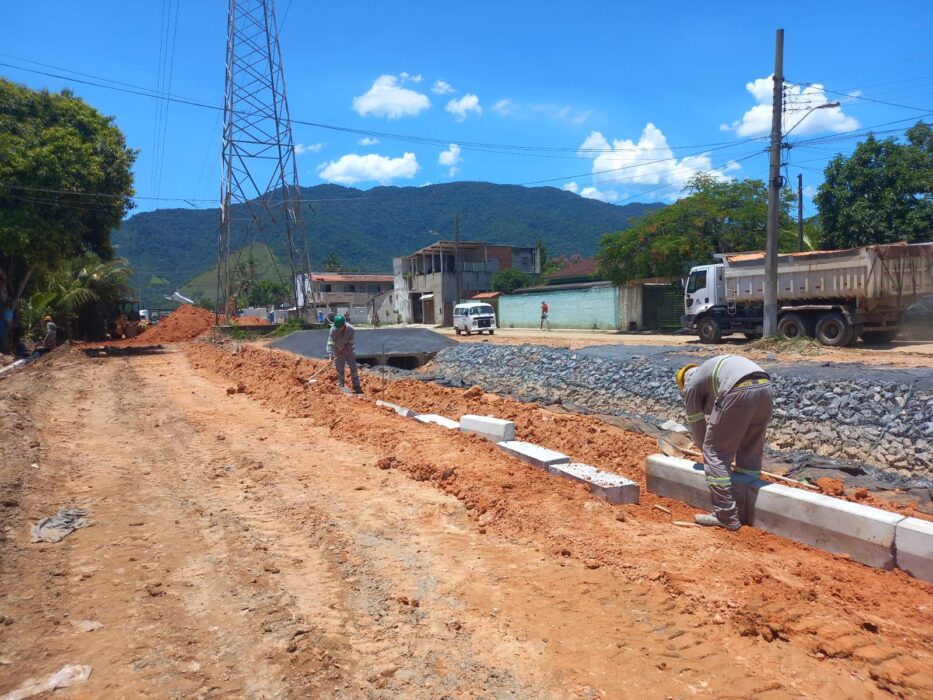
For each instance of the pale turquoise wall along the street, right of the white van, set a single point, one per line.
(592, 307)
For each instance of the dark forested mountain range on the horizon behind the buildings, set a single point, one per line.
(169, 248)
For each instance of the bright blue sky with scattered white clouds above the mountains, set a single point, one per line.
(651, 93)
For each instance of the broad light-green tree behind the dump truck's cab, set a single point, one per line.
(716, 216)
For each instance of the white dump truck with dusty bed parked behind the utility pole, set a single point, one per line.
(837, 296)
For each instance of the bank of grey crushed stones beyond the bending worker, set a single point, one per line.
(882, 424)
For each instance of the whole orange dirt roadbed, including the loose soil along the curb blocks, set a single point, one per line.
(250, 538)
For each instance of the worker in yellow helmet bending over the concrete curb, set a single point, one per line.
(736, 394)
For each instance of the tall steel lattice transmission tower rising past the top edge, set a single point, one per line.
(259, 195)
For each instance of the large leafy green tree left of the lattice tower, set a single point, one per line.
(65, 184)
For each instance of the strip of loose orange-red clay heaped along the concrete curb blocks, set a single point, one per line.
(878, 622)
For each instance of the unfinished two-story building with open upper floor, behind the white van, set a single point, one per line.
(431, 281)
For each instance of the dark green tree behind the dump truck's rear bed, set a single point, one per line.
(879, 194)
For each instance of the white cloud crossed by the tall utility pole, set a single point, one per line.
(798, 101)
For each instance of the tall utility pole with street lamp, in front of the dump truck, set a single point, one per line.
(769, 326)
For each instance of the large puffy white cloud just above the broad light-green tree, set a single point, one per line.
(647, 162)
